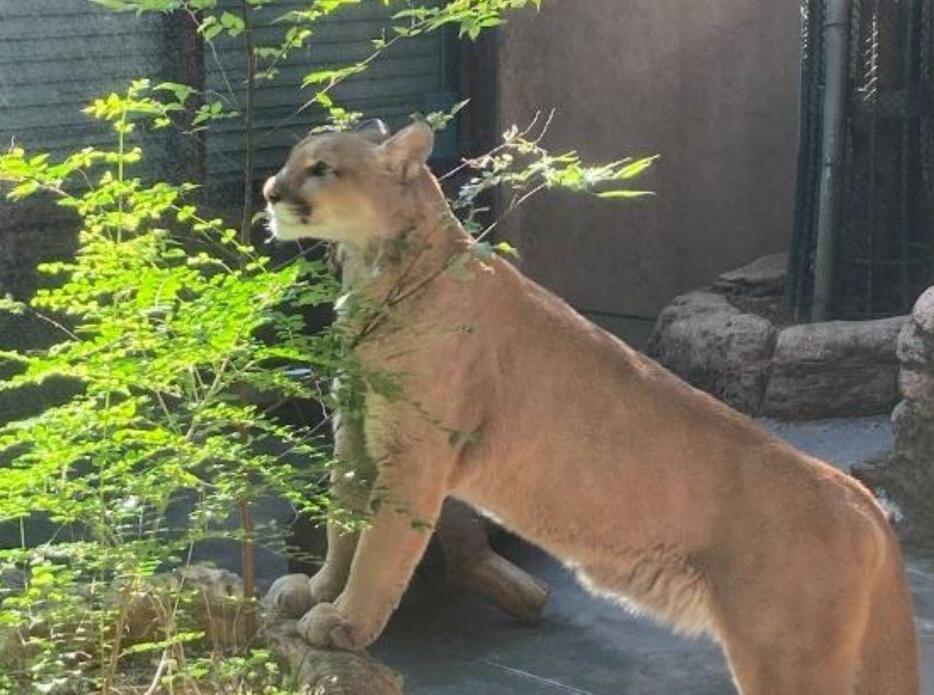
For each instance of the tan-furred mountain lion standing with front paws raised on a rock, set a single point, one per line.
(654, 492)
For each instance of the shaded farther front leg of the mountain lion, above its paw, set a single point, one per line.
(351, 485)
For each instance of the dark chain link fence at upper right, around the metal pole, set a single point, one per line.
(884, 231)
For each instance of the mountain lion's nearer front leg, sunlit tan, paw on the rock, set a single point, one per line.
(411, 490)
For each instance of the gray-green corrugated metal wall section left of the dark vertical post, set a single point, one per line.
(55, 56)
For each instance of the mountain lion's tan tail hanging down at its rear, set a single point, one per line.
(889, 652)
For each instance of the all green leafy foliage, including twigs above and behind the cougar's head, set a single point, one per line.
(179, 341)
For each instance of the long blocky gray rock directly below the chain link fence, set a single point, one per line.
(833, 369)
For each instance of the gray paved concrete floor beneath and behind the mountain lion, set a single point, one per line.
(456, 645)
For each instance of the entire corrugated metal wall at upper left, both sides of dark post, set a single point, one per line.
(57, 55)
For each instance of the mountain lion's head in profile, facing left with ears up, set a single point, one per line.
(350, 187)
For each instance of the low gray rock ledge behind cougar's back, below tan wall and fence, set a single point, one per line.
(730, 340)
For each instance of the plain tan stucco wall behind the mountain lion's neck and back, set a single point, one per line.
(711, 85)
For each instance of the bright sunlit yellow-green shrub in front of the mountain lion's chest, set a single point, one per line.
(166, 322)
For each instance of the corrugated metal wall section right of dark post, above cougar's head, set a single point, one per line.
(413, 76)
